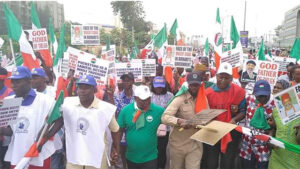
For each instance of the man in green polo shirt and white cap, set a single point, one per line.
(141, 120)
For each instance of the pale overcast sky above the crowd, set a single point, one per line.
(195, 17)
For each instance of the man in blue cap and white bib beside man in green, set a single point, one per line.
(86, 118)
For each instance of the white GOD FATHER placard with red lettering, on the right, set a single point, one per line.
(267, 71)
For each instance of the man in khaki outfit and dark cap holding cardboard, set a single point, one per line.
(185, 153)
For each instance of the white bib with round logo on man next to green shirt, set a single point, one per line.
(84, 129)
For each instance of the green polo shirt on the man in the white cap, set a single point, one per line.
(141, 143)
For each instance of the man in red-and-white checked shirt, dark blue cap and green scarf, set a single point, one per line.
(255, 153)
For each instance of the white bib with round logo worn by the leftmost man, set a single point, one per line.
(26, 128)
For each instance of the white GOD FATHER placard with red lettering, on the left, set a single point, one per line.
(39, 38)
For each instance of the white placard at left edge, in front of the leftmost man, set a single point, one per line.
(9, 109)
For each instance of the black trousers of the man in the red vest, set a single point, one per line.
(211, 154)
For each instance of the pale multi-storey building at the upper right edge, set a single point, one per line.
(290, 28)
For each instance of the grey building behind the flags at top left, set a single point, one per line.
(21, 10)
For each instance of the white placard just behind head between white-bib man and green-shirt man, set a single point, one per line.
(135, 68)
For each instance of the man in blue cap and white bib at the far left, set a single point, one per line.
(32, 114)
